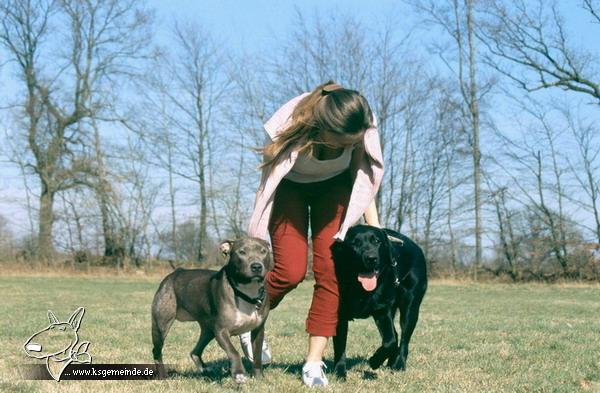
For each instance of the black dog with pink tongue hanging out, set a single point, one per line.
(379, 271)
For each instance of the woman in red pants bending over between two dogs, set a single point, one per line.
(322, 169)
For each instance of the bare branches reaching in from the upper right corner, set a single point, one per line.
(531, 46)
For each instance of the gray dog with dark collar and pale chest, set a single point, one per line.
(227, 302)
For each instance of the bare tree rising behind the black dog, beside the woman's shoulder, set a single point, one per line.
(400, 88)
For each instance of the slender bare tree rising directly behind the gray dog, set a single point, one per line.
(198, 87)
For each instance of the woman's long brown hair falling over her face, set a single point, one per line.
(328, 107)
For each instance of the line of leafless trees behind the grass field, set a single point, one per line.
(129, 145)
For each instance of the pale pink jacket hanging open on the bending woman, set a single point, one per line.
(367, 171)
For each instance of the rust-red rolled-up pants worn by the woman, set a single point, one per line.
(326, 201)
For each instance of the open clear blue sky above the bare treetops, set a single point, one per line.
(251, 24)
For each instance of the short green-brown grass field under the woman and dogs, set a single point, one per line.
(470, 338)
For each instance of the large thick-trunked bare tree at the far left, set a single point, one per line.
(99, 38)
